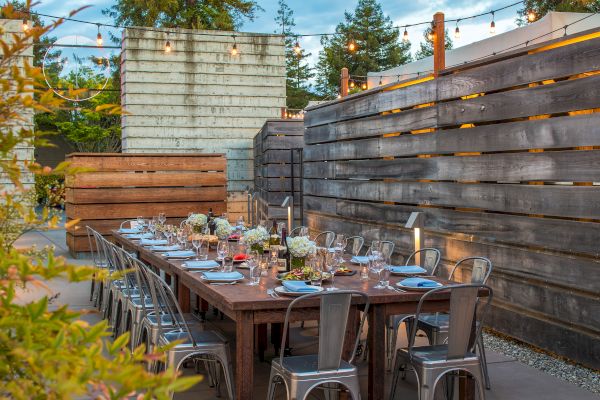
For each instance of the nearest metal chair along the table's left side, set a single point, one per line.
(197, 344)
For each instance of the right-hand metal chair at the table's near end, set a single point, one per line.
(431, 363)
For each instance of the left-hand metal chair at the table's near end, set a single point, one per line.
(301, 374)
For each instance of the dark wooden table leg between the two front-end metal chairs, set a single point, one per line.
(376, 344)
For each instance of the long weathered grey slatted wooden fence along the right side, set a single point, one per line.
(503, 158)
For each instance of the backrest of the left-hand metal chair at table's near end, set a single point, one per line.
(334, 309)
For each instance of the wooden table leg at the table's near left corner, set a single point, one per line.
(244, 368)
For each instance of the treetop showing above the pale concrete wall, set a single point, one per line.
(197, 14)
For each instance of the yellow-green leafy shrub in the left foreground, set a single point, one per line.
(48, 352)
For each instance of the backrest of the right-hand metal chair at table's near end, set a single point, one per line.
(464, 302)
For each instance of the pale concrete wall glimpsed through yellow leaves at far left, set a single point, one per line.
(23, 151)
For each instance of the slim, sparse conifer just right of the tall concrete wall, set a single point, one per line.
(298, 88)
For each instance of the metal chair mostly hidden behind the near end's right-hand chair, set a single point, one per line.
(435, 326)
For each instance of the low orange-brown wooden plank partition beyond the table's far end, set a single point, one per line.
(124, 186)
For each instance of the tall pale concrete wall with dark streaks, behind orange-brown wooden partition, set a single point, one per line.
(199, 98)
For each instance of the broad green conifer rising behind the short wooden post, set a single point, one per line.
(376, 41)
